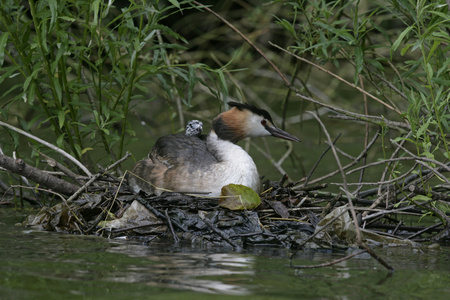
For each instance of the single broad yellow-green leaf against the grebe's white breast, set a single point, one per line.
(238, 197)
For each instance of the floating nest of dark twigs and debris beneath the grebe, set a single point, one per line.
(300, 218)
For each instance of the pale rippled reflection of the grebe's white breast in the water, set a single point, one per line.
(192, 271)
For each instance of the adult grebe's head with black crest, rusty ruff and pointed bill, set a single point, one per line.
(246, 120)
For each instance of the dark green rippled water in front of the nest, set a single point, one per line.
(47, 265)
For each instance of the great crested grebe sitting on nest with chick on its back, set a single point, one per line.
(186, 162)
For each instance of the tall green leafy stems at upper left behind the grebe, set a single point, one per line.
(78, 68)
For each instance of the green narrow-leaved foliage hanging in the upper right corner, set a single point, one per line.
(414, 77)
